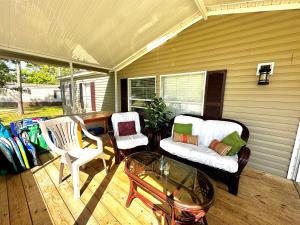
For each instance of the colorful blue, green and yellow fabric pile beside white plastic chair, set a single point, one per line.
(18, 151)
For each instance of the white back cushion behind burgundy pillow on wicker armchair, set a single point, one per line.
(125, 117)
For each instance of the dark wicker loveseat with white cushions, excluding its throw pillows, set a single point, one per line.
(224, 168)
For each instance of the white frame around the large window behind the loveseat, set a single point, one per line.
(183, 74)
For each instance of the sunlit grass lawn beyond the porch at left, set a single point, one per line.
(10, 114)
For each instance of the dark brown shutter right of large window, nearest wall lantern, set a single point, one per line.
(214, 94)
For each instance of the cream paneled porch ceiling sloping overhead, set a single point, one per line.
(107, 33)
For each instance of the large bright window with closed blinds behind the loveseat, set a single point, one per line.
(184, 93)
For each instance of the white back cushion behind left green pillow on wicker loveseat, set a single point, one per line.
(197, 124)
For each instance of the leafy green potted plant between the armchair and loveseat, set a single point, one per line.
(157, 118)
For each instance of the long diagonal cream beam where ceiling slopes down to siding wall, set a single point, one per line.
(160, 40)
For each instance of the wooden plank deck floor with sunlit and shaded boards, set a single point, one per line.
(35, 197)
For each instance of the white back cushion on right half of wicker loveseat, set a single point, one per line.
(216, 129)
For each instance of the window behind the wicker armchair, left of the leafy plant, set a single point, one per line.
(140, 92)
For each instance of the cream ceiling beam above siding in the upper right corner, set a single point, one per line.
(264, 8)
